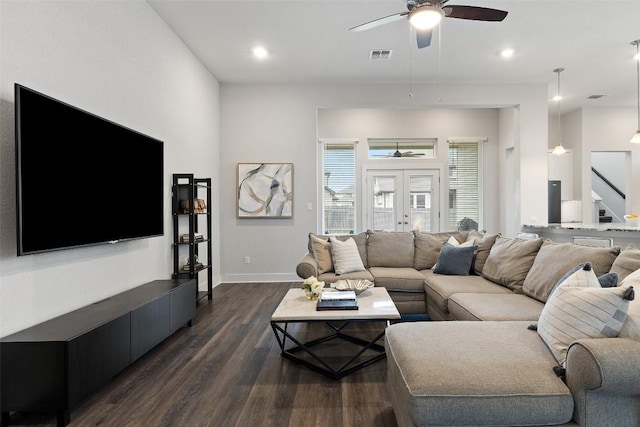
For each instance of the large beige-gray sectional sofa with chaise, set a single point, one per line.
(489, 367)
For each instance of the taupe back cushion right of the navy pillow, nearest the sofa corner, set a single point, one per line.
(509, 261)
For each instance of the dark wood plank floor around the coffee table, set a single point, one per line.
(226, 370)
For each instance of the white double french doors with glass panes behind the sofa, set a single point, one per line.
(402, 199)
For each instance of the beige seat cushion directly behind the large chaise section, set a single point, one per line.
(494, 307)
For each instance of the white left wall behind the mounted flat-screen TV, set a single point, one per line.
(120, 61)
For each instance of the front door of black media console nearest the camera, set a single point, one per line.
(96, 356)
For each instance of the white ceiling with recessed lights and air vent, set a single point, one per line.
(309, 42)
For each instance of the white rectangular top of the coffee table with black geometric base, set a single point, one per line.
(373, 304)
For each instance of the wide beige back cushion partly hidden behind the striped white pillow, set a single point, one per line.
(556, 259)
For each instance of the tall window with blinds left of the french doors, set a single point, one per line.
(339, 195)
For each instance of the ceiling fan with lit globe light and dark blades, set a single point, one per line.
(424, 15)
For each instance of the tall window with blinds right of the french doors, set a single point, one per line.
(464, 182)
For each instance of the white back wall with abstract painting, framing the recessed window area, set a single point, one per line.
(263, 123)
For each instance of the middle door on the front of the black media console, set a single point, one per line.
(149, 326)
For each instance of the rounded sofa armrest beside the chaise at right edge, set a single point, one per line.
(609, 365)
